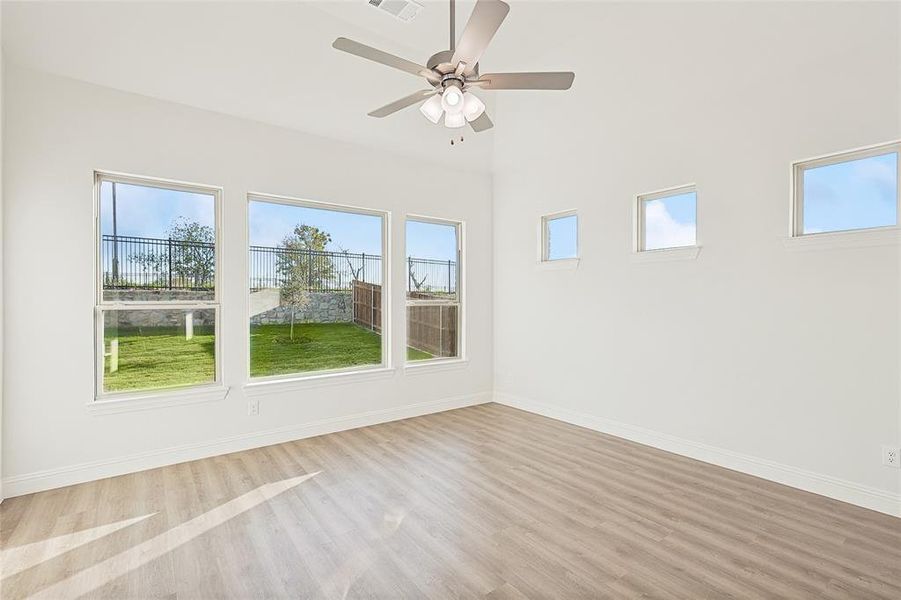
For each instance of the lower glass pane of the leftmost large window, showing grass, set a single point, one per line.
(150, 349)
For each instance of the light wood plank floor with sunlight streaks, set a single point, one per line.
(481, 502)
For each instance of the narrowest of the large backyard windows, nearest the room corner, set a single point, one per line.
(434, 300)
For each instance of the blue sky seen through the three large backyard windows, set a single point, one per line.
(149, 212)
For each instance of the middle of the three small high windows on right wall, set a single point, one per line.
(667, 219)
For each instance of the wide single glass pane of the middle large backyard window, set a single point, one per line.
(315, 289)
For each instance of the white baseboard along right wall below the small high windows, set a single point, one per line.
(824, 485)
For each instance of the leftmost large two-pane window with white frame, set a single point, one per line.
(157, 311)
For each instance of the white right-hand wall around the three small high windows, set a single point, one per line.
(767, 359)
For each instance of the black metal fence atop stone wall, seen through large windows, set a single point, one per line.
(130, 262)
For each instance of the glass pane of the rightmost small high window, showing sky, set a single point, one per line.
(856, 194)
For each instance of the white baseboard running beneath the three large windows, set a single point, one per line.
(28, 483)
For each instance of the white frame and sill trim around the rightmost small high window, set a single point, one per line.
(845, 238)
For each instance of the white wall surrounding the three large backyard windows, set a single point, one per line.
(57, 132)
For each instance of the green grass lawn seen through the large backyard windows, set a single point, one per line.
(160, 356)
